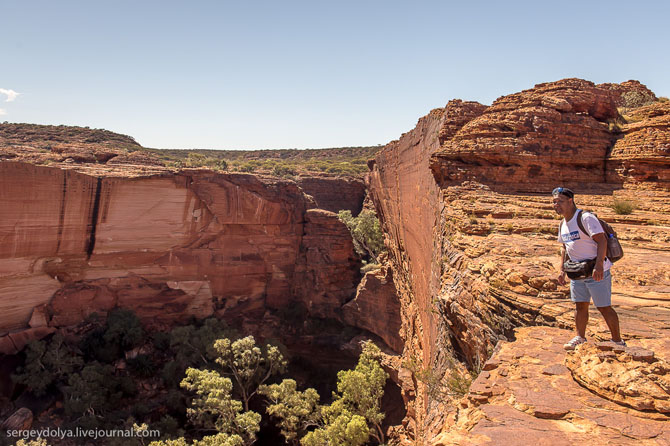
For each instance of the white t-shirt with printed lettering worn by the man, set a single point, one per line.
(578, 245)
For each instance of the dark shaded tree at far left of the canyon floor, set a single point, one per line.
(46, 363)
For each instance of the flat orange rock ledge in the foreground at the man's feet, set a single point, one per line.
(531, 397)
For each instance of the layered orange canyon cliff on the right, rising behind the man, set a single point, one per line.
(465, 201)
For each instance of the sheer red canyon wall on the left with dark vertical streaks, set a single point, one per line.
(80, 239)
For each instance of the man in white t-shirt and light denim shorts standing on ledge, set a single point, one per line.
(580, 247)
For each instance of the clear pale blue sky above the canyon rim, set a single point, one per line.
(282, 74)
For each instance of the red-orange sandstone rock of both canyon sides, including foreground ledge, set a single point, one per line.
(465, 205)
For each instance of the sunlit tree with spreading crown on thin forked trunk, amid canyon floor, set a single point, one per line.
(249, 365)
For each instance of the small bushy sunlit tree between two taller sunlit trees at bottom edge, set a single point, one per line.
(294, 410)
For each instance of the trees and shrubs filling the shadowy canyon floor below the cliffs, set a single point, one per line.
(200, 384)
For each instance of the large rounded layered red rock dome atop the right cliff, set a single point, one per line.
(553, 132)
